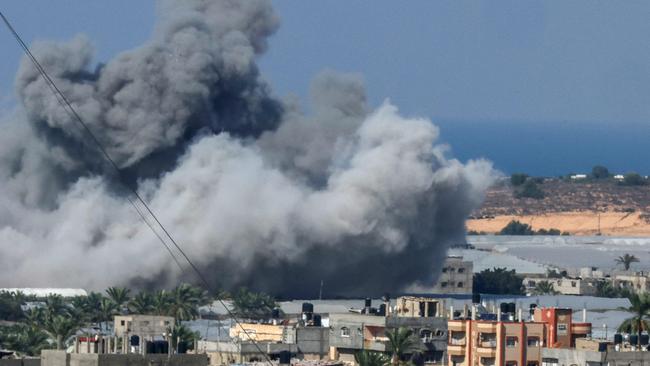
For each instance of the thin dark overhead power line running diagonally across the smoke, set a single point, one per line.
(67, 106)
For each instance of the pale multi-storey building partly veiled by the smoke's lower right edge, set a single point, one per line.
(456, 277)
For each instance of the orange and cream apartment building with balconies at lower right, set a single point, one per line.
(479, 342)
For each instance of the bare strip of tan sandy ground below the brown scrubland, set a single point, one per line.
(576, 223)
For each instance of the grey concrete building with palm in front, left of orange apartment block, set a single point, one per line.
(350, 333)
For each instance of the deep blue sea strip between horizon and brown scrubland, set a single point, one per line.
(551, 149)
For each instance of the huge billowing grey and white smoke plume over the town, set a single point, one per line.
(257, 192)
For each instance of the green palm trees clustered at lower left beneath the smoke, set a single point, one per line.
(51, 322)
